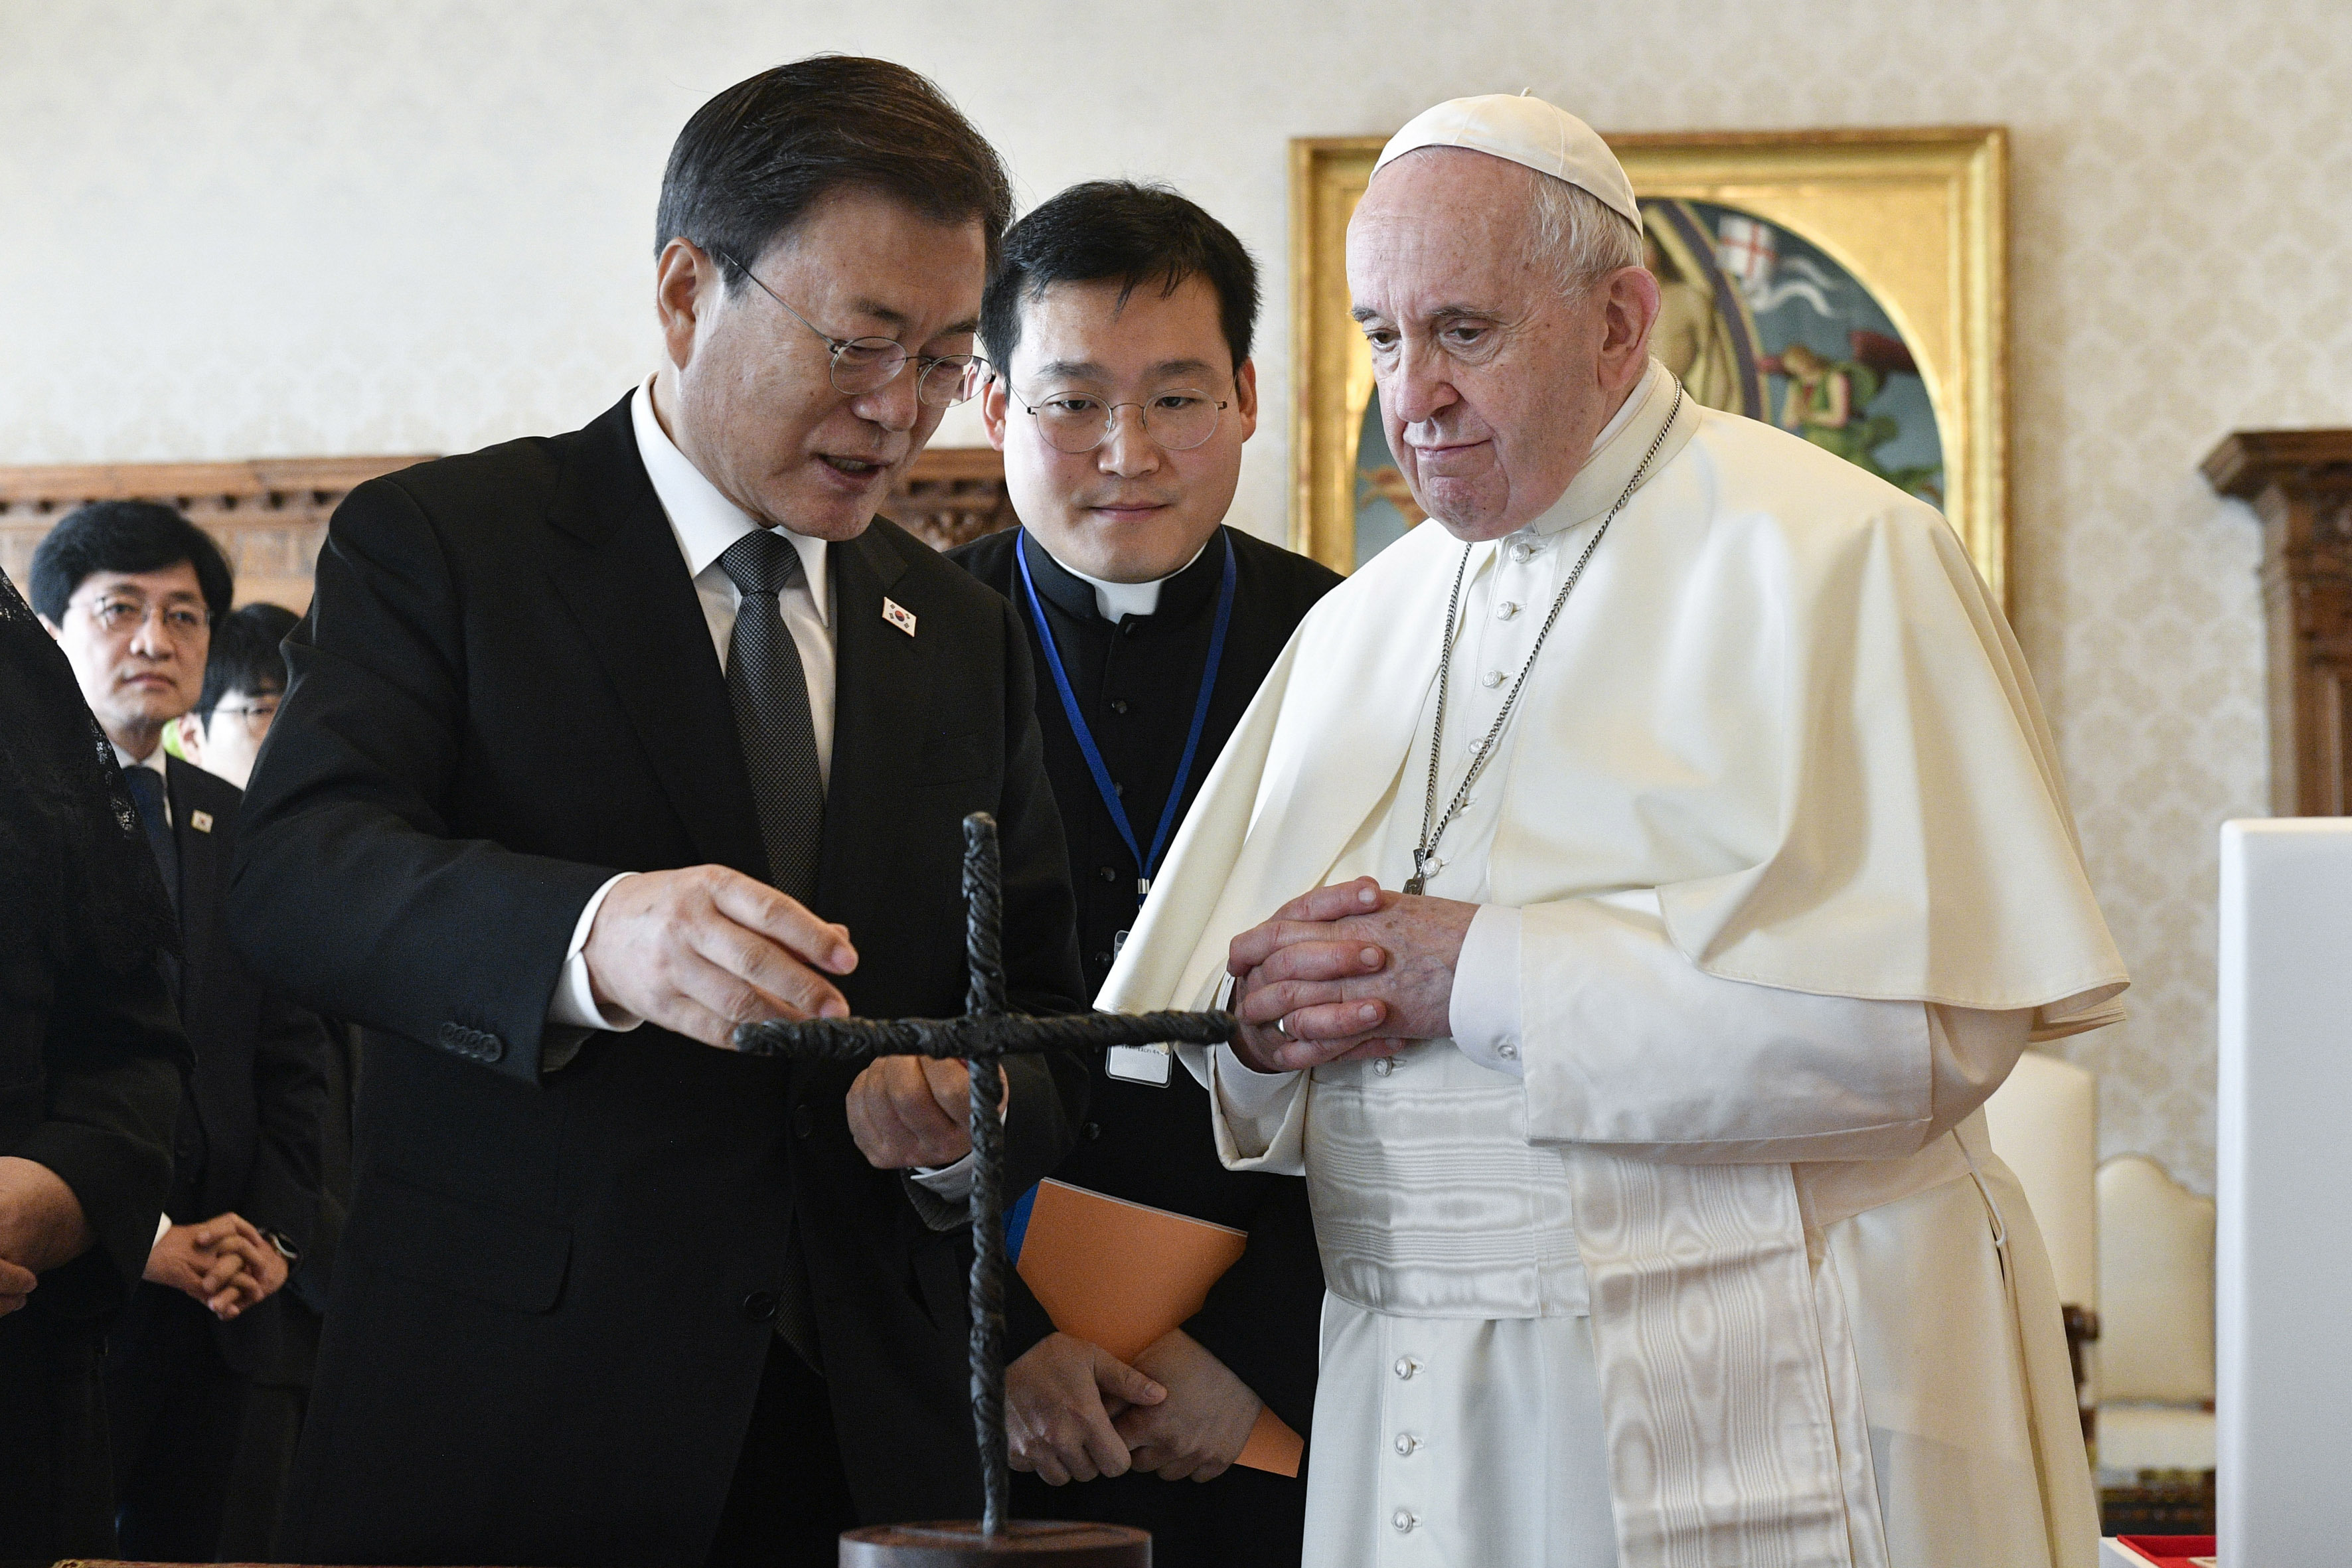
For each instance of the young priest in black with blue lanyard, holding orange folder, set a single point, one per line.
(1121, 337)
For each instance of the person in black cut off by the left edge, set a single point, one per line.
(91, 1080)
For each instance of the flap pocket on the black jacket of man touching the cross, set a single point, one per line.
(488, 1254)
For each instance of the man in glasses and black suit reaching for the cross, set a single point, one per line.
(596, 749)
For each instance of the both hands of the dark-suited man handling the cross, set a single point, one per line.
(707, 949)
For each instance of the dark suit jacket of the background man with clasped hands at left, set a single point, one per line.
(248, 1134)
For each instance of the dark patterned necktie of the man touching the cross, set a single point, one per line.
(770, 697)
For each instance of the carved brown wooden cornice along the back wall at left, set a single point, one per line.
(272, 514)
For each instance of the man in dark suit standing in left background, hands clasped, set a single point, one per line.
(133, 591)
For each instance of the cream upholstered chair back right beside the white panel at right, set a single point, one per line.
(2156, 1264)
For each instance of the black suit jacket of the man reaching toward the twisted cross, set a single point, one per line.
(556, 1289)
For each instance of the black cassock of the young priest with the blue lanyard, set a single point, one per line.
(1137, 685)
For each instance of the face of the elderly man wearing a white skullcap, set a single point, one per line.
(1492, 384)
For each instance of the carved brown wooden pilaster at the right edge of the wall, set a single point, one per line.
(2301, 488)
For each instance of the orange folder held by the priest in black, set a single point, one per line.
(1123, 1275)
